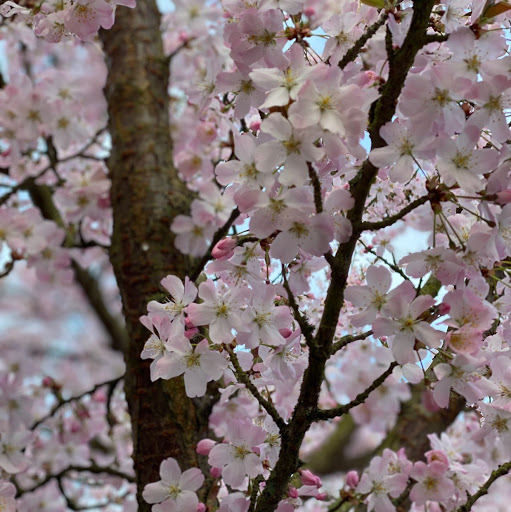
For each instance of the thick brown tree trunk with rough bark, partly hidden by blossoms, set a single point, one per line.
(146, 195)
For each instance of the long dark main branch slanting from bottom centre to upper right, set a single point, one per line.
(383, 111)
